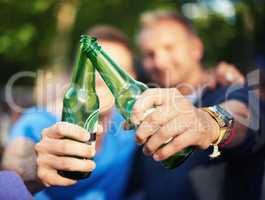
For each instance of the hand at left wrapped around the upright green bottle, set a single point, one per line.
(55, 152)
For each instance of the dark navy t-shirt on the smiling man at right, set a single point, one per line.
(232, 176)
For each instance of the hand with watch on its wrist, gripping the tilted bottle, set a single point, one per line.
(174, 122)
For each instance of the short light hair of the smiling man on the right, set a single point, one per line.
(150, 17)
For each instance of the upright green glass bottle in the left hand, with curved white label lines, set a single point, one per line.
(80, 103)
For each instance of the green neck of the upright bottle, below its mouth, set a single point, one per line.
(84, 73)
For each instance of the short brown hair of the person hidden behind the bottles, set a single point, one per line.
(109, 33)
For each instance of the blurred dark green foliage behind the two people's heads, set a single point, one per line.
(28, 30)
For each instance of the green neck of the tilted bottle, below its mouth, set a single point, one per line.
(114, 76)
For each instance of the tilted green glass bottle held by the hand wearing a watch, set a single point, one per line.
(125, 90)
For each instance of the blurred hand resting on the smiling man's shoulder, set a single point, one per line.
(225, 74)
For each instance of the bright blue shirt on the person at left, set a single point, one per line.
(108, 180)
